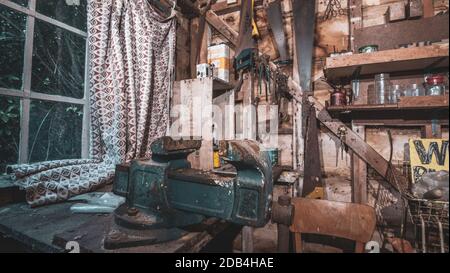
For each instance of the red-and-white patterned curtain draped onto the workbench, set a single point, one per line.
(131, 53)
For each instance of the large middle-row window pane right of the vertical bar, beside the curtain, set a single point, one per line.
(58, 61)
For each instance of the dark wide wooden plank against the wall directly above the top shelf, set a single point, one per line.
(390, 36)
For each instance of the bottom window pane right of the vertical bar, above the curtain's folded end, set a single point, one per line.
(55, 130)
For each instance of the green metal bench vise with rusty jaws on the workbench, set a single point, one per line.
(164, 193)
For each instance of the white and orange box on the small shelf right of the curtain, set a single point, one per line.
(219, 58)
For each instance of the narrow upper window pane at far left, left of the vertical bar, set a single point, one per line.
(12, 41)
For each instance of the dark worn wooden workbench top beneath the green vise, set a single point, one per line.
(49, 228)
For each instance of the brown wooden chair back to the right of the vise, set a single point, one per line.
(340, 219)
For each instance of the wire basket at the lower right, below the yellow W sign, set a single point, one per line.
(431, 218)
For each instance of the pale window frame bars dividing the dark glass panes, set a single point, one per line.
(26, 95)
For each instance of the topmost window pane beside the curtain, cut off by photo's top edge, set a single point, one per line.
(71, 12)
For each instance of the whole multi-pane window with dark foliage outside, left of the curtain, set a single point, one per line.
(42, 81)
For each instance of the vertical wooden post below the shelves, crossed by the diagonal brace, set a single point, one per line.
(359, 171)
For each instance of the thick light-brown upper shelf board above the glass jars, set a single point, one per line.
(387, 61)
